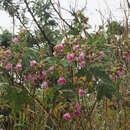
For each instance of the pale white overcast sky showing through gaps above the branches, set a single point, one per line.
(91, 11)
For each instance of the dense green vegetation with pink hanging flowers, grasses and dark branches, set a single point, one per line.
(69, 79)
